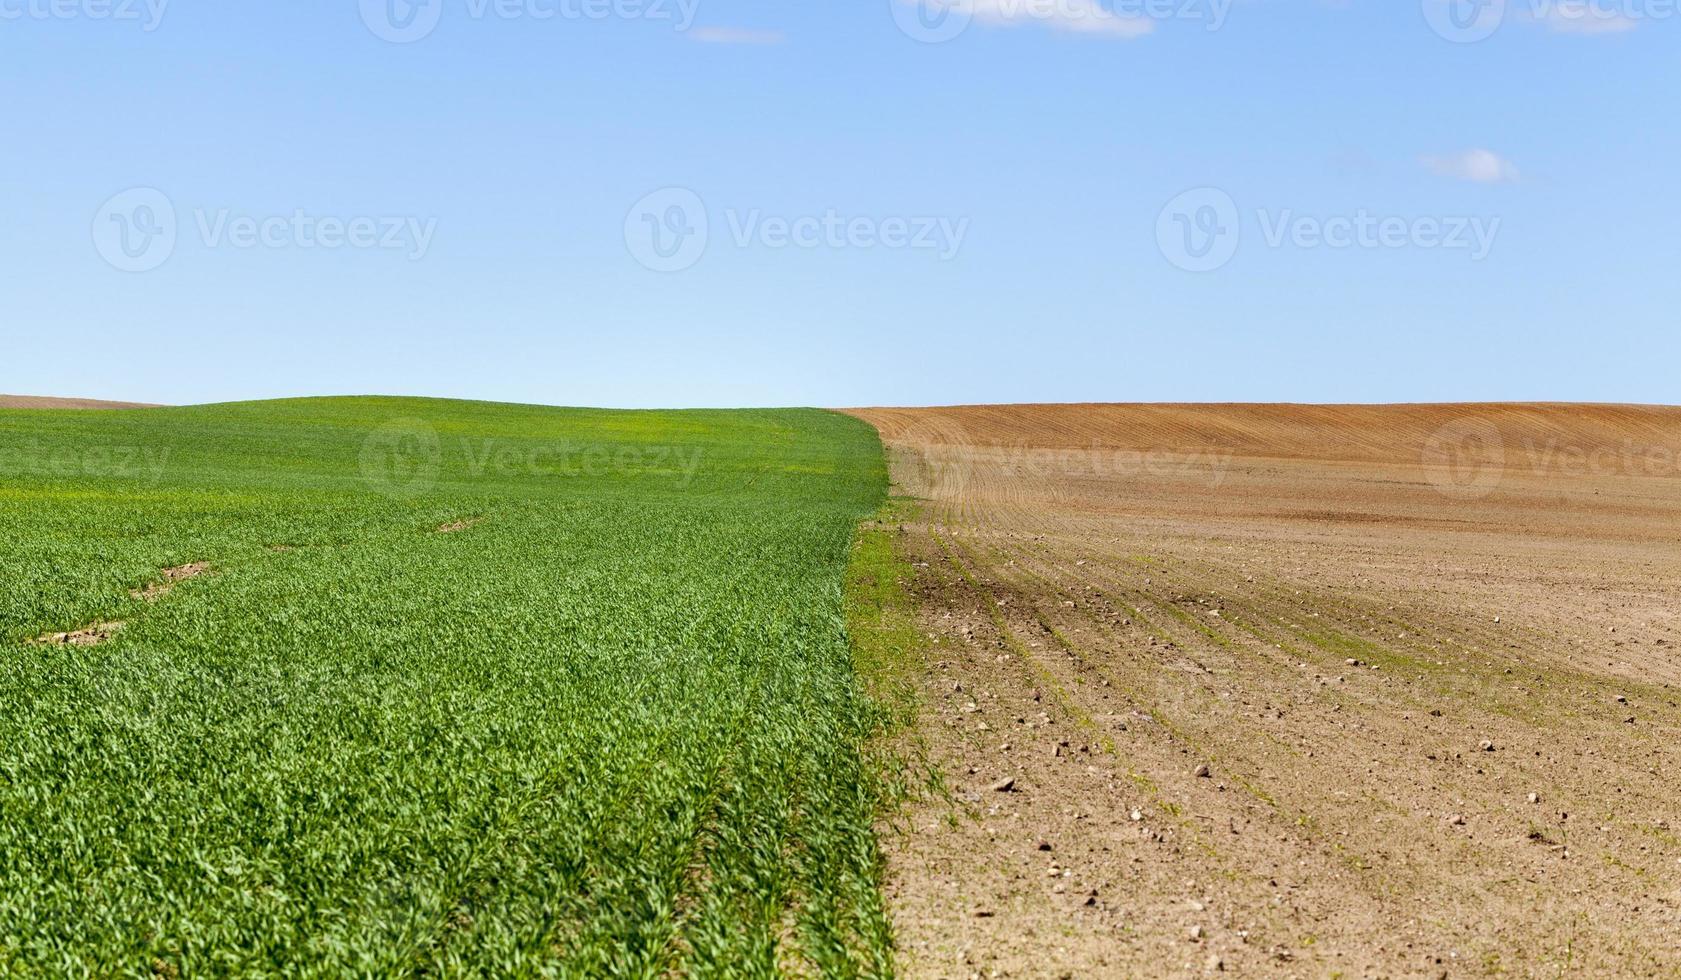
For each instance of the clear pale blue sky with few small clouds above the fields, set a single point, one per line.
(498, 171)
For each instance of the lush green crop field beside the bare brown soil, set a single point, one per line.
(609, 724)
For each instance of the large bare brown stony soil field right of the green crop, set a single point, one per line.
(1426, 656)
